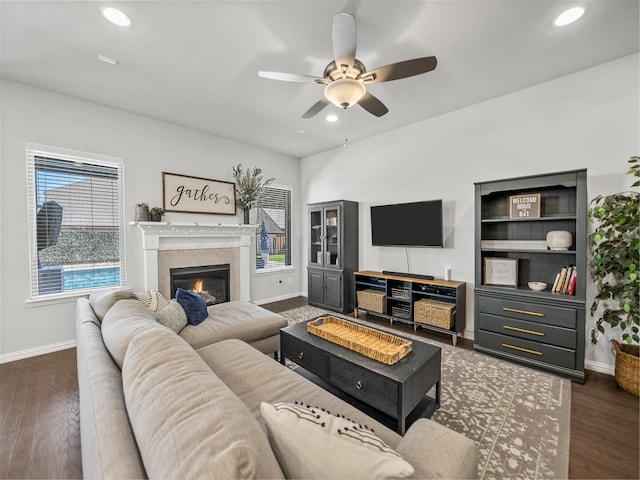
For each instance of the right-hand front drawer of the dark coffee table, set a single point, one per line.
(375, 390)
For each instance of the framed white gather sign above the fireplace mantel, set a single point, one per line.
(182, 193)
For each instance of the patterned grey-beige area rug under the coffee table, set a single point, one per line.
(519, 417)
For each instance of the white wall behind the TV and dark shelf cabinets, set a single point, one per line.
(585, 120)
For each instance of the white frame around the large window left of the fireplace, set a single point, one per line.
(33, 150)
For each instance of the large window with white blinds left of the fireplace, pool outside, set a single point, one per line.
(75, 220)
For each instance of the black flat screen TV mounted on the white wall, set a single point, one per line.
(416, 224)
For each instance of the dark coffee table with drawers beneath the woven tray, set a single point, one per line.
(395, 390)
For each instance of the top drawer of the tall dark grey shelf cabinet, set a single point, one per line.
(529, 311)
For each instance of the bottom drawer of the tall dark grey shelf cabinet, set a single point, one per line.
(541, 352)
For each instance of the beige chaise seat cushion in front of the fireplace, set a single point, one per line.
(239, 319)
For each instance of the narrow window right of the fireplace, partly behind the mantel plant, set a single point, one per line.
(273, 238)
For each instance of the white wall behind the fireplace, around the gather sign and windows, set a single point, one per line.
(149, 147)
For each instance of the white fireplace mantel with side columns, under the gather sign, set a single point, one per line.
(156, 236)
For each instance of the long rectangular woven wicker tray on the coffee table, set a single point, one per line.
(380, 346)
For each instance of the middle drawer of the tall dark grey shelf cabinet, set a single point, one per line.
(537, 332)
